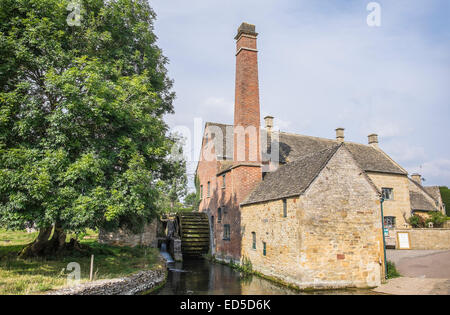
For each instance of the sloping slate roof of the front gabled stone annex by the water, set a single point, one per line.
(291, 179)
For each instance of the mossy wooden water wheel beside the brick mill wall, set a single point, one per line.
(194, 232)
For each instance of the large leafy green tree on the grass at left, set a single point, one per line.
(83, 143)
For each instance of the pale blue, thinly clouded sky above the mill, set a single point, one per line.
(321, 66)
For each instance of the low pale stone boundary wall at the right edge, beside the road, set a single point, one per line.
(436, 239)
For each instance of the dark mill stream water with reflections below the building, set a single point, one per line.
(201, 277)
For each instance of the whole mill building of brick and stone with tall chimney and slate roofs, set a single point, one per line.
(303, 209)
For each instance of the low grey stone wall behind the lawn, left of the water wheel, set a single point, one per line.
(126, 238)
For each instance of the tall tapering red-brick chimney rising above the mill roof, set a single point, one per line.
(246, 108)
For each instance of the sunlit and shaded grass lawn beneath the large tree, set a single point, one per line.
(37, 276)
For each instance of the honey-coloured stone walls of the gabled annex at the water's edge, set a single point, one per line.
(331, 237)
